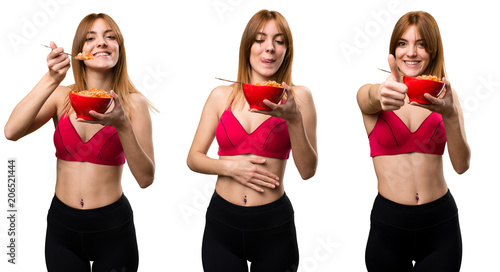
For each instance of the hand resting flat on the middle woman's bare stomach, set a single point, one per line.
(248, 172)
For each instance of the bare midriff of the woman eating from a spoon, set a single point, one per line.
(84, 185)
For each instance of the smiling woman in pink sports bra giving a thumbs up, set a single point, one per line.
(414, 217)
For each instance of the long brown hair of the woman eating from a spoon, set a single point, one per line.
(121, 83)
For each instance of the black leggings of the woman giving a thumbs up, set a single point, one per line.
(428, 234)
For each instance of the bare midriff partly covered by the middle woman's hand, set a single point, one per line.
(236, 193)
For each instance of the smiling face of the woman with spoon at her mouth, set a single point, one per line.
(101, 42)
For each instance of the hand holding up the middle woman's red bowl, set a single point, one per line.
(288, 110)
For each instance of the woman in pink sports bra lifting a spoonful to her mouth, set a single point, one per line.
(90, 219)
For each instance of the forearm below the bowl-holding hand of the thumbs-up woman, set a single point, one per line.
(458, 147)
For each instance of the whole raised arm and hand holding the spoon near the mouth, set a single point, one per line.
(40, 105)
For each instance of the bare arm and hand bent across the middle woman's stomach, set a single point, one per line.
(246, 170)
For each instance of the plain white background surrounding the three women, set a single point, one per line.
(176, 48)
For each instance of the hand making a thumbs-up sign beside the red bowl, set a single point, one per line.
(392, 92)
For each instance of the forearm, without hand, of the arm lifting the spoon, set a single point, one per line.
(25, 112)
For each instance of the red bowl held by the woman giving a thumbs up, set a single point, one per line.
(417, 87)
